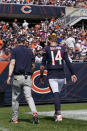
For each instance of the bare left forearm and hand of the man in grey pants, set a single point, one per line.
(11, 68)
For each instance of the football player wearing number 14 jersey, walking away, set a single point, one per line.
(53, 60)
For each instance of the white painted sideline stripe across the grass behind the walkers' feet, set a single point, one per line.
(72, 114)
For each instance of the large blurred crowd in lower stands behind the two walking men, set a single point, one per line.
(36, 38)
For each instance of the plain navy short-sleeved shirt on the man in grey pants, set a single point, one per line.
(23, 58)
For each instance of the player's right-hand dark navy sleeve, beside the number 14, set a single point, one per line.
(68, 63)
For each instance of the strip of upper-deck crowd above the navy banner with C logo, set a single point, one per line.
(69, 3)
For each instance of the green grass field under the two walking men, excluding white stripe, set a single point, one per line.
(46, 123)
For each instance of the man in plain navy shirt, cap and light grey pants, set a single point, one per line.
(20, 67)
